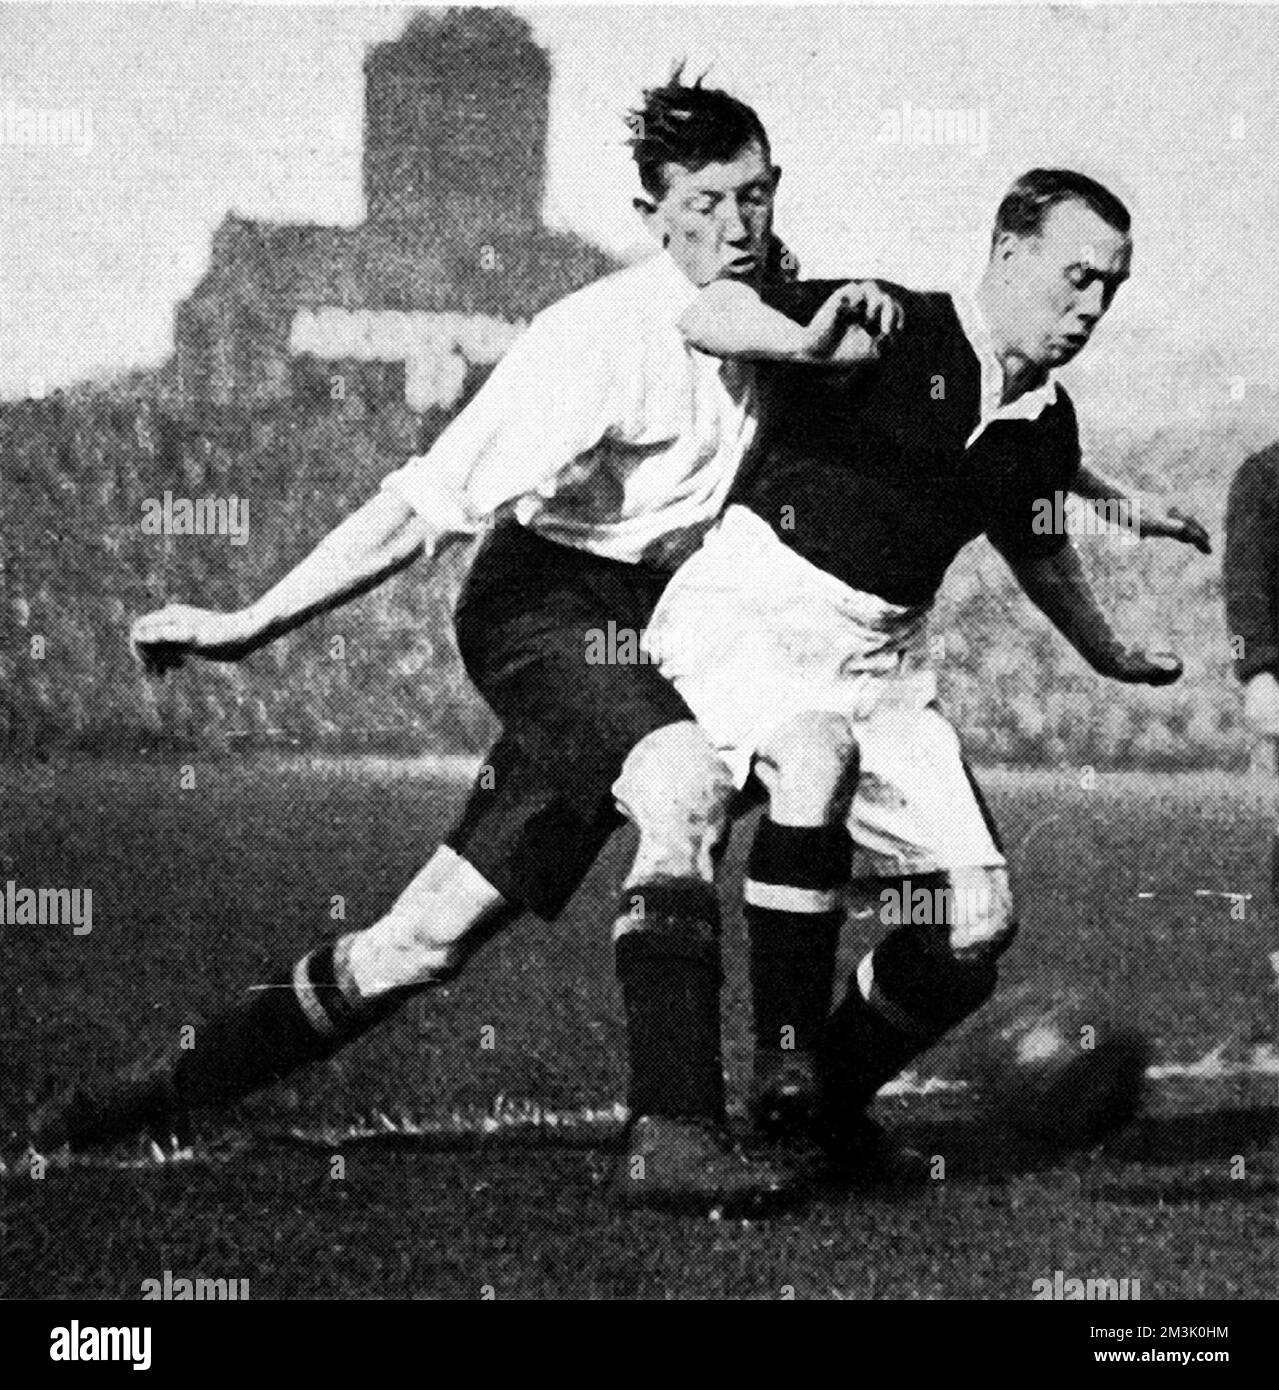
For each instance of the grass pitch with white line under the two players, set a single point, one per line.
(1150, 893)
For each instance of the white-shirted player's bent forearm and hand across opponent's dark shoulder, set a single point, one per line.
(731, 320)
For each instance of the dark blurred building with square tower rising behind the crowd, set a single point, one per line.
(454, 254)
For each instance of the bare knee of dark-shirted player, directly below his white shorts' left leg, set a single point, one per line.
(810, 768)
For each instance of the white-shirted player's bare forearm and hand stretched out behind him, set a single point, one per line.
(375, 543)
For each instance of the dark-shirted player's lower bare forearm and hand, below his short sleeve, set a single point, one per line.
(1059, 587)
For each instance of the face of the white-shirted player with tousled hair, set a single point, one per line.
(717, 220)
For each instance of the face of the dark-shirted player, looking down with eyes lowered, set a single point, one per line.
(1061, 283)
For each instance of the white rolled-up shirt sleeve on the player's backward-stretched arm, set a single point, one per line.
(548, 401)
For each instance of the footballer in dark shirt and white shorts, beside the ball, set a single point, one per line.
(796, 635)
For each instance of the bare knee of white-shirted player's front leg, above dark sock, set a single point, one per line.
(676, 790)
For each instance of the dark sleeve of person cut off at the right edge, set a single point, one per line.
(1251, 564)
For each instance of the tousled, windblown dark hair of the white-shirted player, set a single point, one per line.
(689, 124)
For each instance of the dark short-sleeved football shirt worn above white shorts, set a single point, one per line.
(870, 476)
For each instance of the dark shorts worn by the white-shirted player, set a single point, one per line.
(543, 807)
